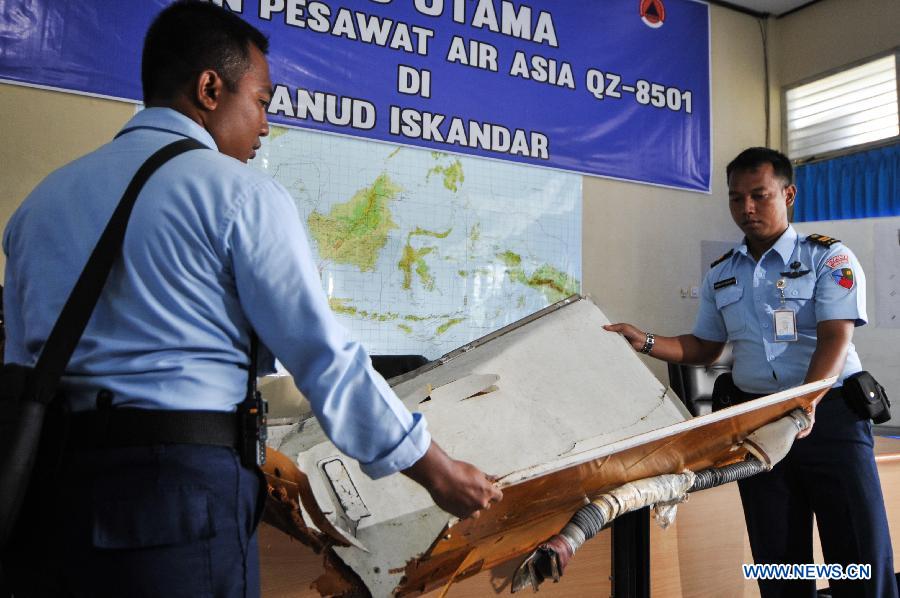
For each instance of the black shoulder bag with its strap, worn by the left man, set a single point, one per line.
(26, 392)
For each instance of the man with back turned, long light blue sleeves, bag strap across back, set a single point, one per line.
(214, 249)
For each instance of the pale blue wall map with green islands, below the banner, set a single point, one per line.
(421, 252)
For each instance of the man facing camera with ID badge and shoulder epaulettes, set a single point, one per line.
(788, 303)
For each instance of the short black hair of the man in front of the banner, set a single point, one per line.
(189, 37)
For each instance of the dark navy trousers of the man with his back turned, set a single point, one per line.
(159, 521)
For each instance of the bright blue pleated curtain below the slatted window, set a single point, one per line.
(862, 185)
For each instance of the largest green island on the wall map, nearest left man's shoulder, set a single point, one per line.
(354, 232)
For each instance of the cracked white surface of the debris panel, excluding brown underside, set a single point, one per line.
(561, 382)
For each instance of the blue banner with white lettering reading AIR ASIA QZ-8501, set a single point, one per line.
(617, 88)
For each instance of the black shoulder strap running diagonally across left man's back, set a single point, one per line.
(78, 308)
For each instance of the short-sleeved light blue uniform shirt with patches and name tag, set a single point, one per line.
(739, 298)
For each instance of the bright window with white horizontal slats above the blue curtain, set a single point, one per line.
(854, 107)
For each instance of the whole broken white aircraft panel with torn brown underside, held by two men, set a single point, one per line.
(554, 406)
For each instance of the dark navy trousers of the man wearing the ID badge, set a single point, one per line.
(830, 473)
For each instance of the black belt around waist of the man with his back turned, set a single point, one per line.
(122, 427)
